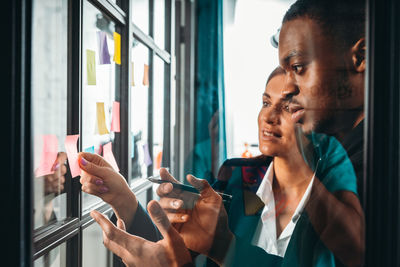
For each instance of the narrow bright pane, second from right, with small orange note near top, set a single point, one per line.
(139, 109)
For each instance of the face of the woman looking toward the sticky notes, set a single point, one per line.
(275, 127)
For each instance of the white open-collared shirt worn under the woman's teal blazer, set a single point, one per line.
(265, 234)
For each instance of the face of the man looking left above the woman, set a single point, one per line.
(316, 76)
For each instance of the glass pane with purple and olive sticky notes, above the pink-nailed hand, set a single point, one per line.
(98, 84)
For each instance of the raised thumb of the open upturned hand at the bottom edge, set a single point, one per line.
(160, 219)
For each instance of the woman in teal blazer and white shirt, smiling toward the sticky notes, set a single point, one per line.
(267, 224)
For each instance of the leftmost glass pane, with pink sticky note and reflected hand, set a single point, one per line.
(49, 109)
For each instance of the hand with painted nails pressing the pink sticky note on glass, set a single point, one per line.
(100, 179)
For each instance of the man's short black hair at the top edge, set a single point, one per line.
(343, 20)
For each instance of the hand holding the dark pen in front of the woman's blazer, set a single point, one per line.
(204, 226)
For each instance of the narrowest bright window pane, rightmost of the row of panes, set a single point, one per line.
(158, 112)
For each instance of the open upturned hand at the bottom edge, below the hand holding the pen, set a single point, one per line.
(136, 251)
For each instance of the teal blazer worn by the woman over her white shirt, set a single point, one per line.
(242, 177)
